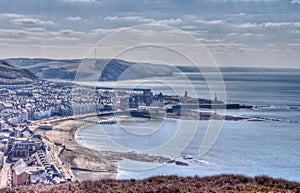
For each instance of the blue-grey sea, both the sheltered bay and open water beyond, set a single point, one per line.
(268, 144)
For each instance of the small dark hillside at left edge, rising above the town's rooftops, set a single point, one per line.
(14, 75)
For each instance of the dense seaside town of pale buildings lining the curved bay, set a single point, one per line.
(25, 158)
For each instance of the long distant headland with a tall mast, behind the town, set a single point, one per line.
(112, 70)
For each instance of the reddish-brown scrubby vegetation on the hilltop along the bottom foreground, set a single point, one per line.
(221, 183)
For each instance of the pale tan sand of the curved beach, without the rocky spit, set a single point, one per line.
(73, 155)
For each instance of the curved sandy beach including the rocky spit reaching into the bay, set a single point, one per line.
(84, 163)
